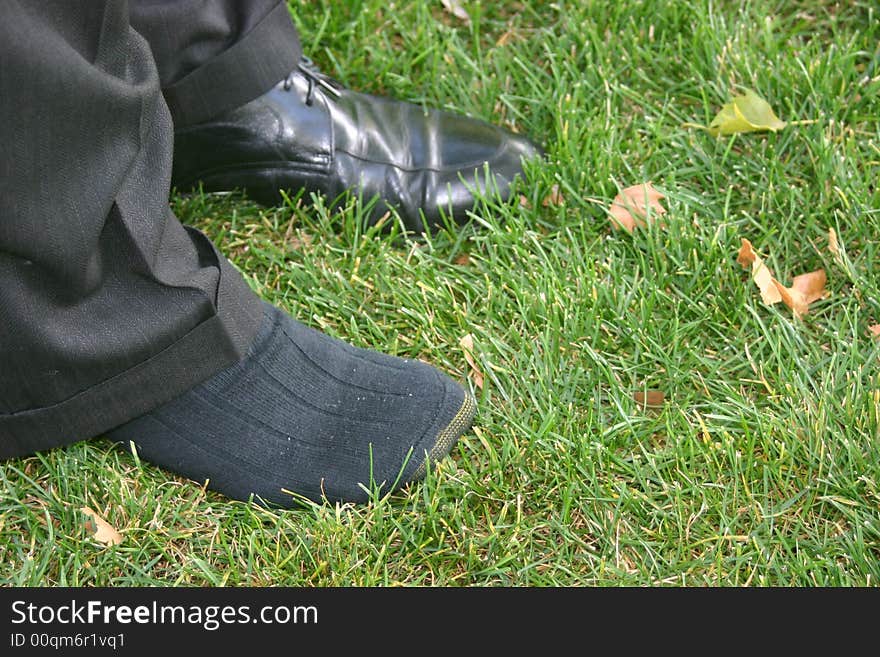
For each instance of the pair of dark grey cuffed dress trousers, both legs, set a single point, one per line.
(109, 306)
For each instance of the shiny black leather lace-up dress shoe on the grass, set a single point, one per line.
(310, 132)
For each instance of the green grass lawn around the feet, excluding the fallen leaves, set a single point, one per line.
(763, 465)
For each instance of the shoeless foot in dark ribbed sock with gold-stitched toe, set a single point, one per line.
(308, 414)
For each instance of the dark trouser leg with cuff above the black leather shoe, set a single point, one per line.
(214, 55)
